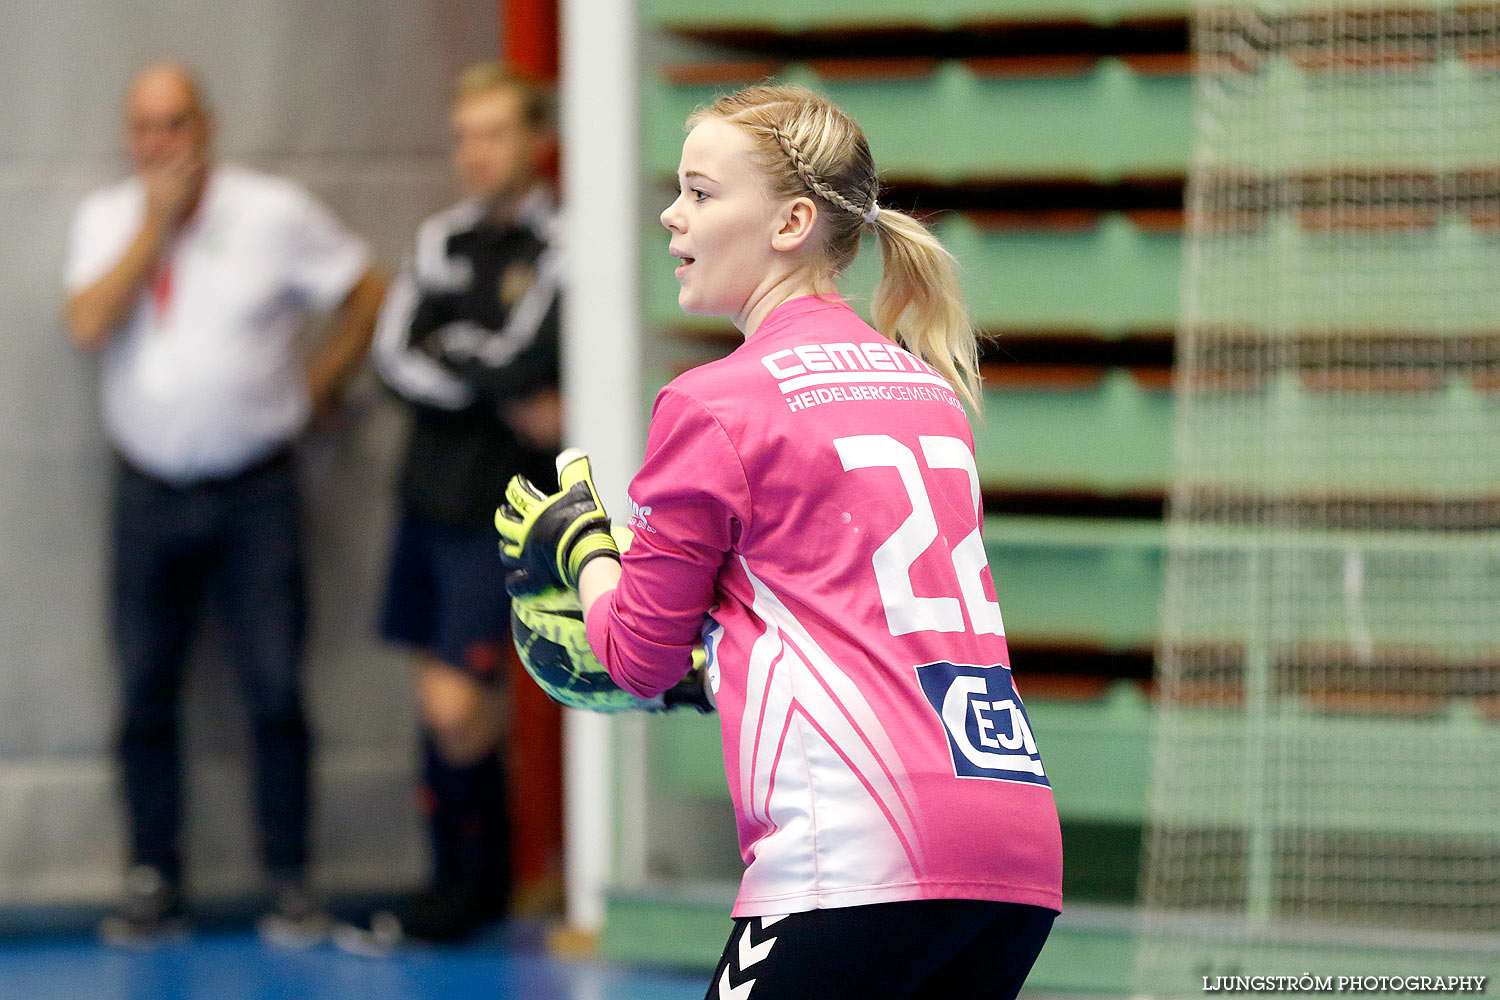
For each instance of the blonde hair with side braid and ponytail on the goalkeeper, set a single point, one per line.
(809, 146)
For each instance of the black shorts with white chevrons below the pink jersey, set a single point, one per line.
(923, 950)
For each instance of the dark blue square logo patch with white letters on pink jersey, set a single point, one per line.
(989, 734)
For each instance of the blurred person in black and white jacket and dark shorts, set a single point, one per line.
(469, 338)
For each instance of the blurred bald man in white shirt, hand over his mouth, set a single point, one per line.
(191, 281)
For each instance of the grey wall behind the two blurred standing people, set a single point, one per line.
(350, 97)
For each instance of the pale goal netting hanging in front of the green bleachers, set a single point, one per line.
(1327, 792)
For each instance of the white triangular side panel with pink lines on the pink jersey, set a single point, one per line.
(782, 762)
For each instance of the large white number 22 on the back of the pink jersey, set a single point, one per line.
(907, 612)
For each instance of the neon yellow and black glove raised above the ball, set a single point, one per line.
(554, 537)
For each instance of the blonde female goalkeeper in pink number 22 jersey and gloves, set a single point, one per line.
(809, 512)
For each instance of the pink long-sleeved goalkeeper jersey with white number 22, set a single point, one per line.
(815, 496)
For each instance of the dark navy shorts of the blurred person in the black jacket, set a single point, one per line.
(448, 597)
